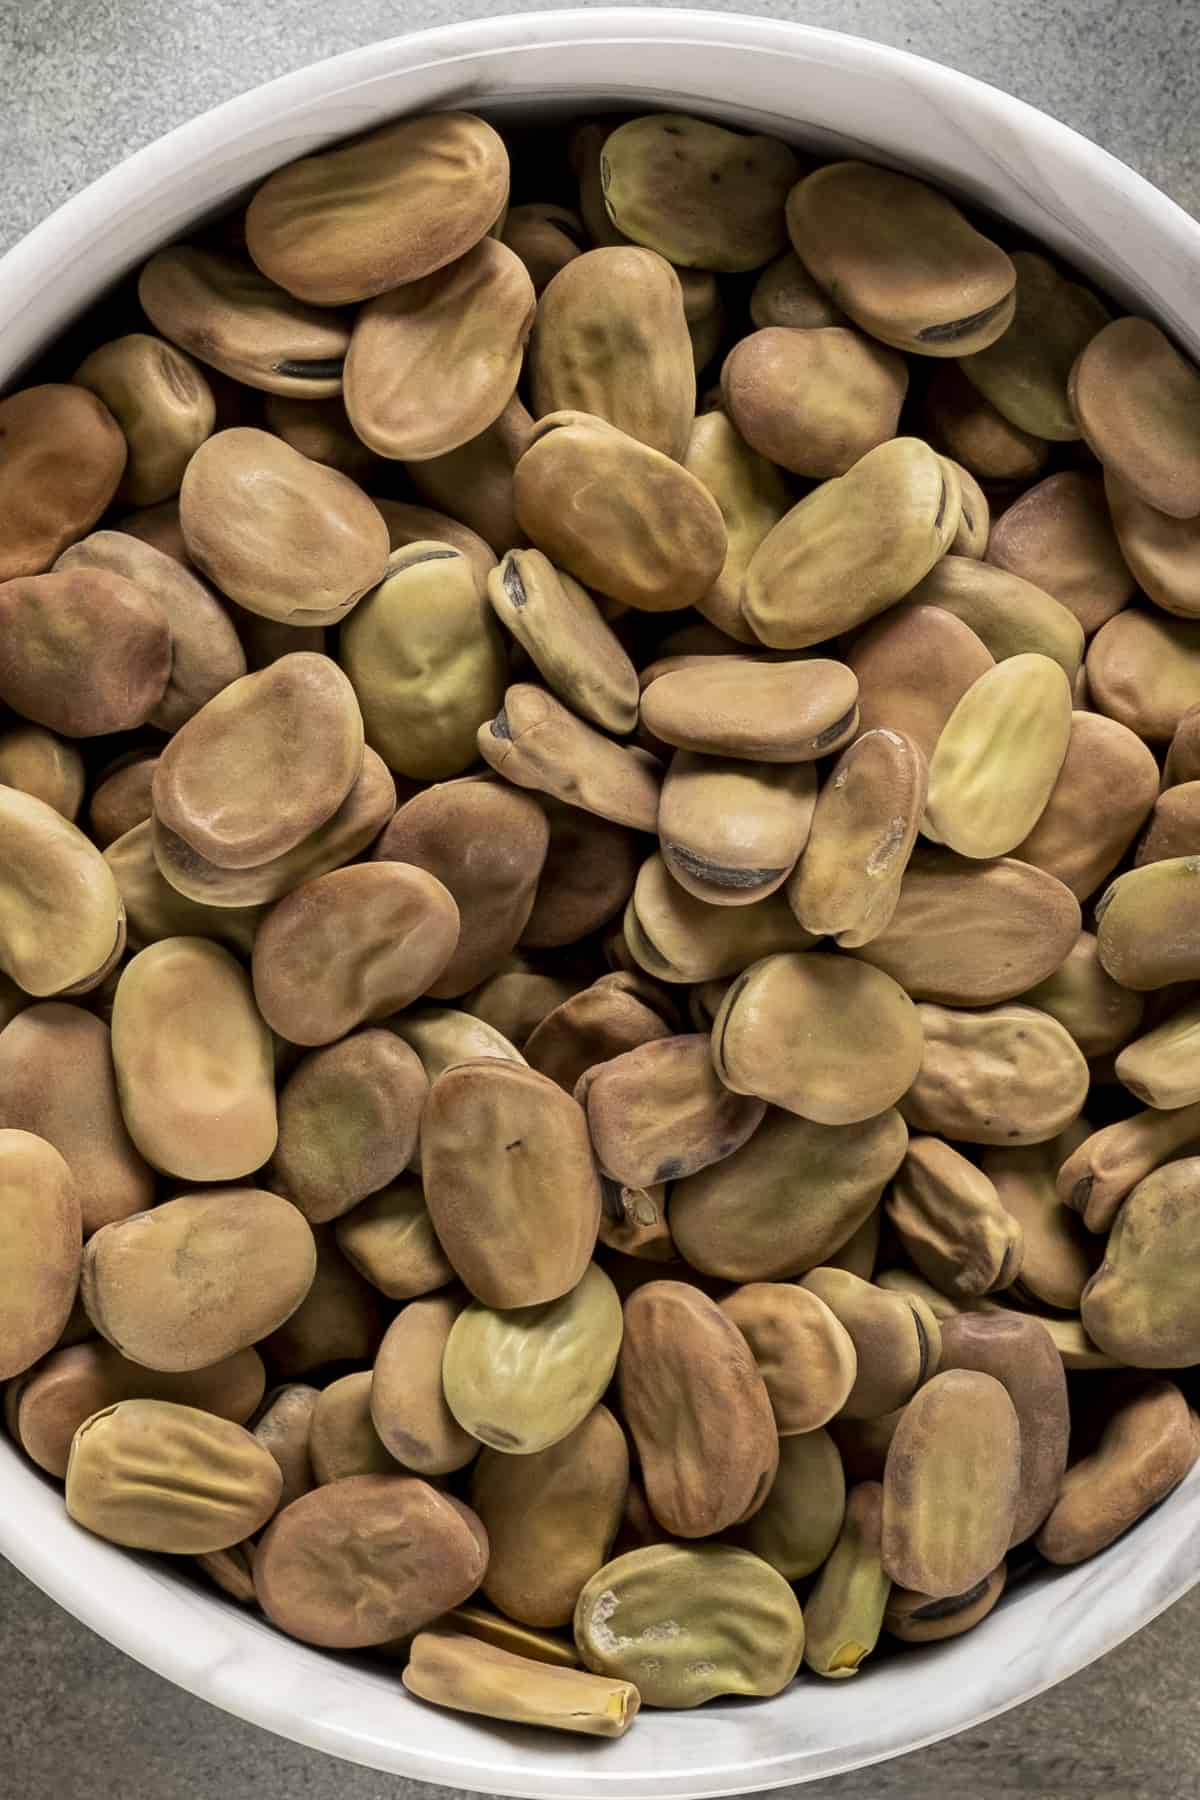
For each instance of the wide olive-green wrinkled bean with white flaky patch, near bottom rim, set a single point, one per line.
(688, 1623)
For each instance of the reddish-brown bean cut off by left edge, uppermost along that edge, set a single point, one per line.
(62, 456)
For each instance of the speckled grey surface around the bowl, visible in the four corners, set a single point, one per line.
(82, 85)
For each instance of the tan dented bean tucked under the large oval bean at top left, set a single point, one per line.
(434, 363)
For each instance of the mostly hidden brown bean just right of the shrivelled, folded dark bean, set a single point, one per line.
(1059, 1255)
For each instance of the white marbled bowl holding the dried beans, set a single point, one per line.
(837, 96)
